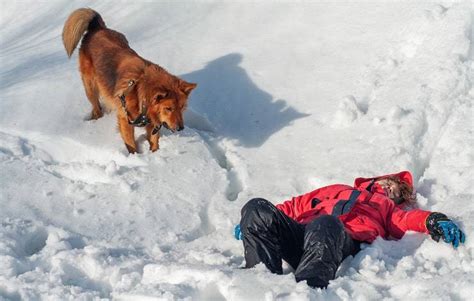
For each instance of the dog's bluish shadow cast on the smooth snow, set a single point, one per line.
(234, 105)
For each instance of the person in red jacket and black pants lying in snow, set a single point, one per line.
(316, 231)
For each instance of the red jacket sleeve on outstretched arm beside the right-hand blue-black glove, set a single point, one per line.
(399, 221)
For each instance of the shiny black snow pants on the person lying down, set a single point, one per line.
(314, 250)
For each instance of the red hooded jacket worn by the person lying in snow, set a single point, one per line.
(364, 209)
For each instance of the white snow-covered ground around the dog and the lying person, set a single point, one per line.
(291, 96)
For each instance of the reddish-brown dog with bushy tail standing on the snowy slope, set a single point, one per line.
(143, 93)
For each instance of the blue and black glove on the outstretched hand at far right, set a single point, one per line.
(439, 225)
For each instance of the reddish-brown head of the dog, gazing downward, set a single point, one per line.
(166, 97)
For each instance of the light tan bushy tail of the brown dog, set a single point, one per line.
(76, 24)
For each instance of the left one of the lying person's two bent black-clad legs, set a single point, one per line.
(270, 236)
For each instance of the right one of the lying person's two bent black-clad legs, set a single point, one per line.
(326, 245)
